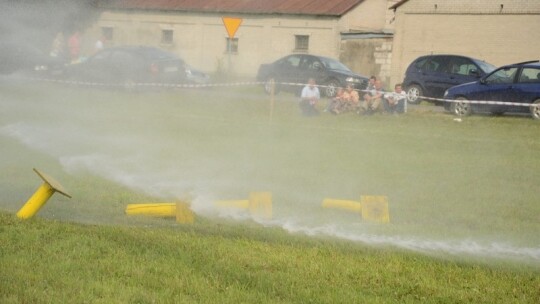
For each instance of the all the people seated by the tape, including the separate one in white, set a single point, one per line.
(348, 99)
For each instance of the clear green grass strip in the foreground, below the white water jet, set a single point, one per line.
(50, 261)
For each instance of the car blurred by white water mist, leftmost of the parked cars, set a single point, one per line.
(128, 65)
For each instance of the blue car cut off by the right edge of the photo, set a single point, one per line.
(514, 83)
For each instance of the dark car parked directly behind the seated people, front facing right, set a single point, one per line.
(298, 68)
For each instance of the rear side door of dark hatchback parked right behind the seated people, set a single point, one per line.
(435, 76)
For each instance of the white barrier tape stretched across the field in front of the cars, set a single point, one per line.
(208, 85)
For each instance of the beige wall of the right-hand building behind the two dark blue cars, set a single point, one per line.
(480, 29)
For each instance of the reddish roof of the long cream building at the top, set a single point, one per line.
(296, 7)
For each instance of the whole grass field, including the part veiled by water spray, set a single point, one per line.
(461, 194)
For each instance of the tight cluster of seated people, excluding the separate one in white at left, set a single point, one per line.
(373, 98)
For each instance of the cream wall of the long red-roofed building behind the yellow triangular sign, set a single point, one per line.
(200, 39)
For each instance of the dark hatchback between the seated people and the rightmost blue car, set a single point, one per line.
(431, 75)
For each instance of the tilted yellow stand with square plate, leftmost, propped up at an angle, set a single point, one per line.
(40, 197)
